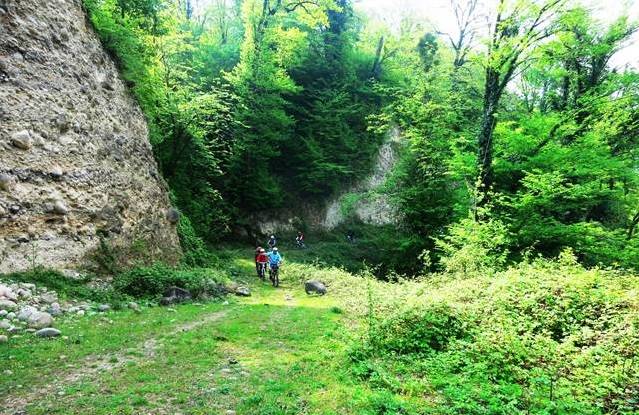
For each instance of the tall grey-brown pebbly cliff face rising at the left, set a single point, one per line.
(75, 161)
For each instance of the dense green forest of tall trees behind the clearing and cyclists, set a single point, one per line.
(515, 142)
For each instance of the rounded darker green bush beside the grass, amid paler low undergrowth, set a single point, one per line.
(419, 330)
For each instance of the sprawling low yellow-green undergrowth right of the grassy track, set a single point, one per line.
(542, 337)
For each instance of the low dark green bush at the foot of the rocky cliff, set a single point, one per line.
(152, 282)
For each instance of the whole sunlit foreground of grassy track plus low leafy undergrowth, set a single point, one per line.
(546, 337)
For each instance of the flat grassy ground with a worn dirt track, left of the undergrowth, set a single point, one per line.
(277, 352)
